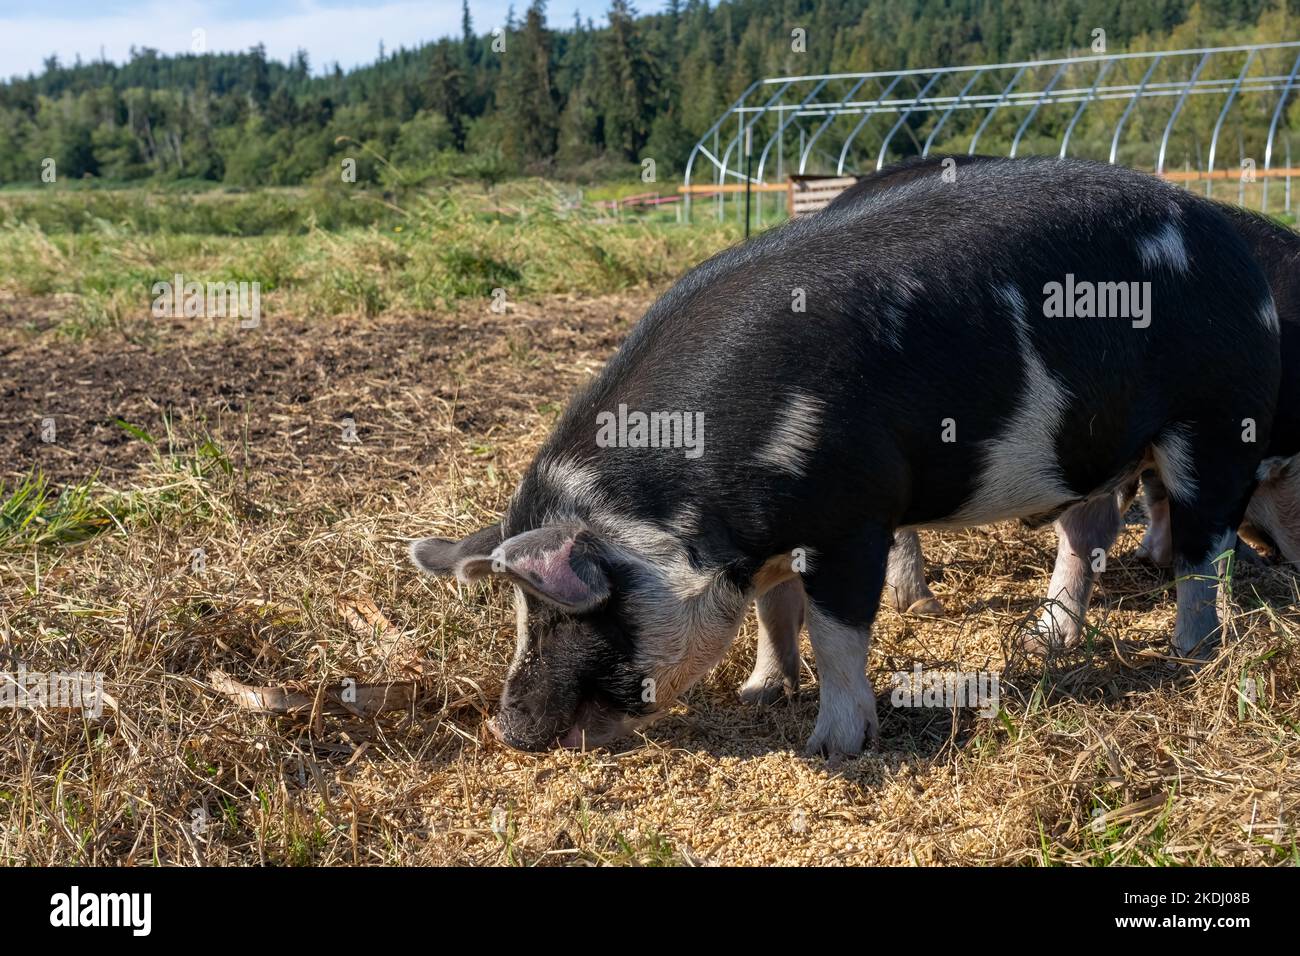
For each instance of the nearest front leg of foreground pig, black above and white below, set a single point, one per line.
(843, 598)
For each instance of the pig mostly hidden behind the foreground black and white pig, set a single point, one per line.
(1273, 516)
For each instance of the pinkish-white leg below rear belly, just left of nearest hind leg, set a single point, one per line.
(1085, 533)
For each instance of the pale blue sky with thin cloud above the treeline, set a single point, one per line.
(345, 31)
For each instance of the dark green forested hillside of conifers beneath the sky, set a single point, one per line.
(532, 96)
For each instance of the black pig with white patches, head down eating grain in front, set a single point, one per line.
(851, 374)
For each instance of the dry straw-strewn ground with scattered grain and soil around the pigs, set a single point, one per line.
(1113, 756)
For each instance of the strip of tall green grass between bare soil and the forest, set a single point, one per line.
(328, 253)
